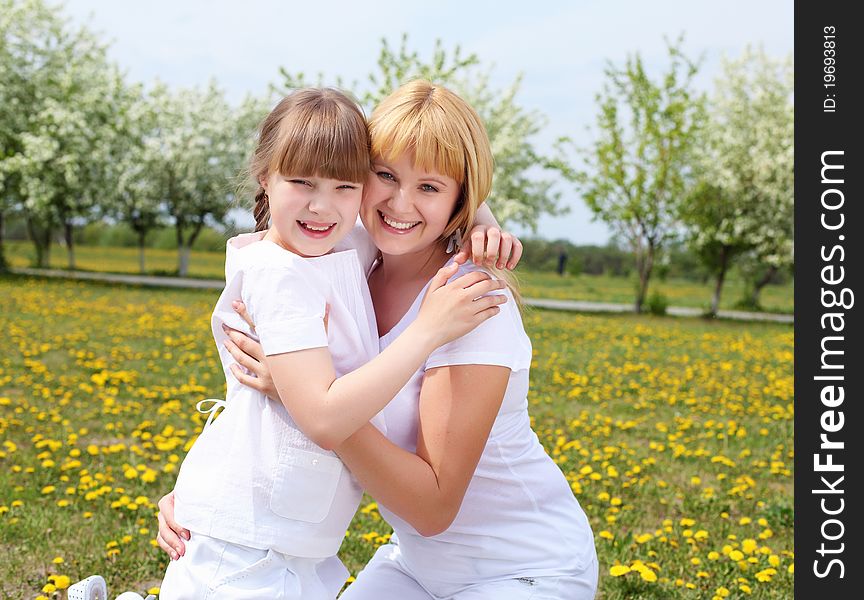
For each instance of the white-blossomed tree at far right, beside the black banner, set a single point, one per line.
(743, 206)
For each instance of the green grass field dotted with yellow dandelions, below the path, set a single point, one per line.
(675, 435)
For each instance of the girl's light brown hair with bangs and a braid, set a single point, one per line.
(311, 132)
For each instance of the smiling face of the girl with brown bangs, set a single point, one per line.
(309, 215)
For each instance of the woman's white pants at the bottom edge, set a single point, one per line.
(387, 577)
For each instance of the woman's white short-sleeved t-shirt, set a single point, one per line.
(519, 517)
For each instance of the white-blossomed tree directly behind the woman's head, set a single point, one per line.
(518, 194)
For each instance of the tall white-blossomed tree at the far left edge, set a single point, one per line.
(62, 89)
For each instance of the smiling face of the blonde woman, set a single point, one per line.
(405, 209)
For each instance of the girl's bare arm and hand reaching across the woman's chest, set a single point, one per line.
(328, 410)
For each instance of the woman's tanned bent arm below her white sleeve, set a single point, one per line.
(456, 415)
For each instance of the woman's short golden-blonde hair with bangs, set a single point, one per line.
(446, 135)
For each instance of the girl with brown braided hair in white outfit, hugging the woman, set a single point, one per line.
(267, 499)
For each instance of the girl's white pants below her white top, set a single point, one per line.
(213, 569)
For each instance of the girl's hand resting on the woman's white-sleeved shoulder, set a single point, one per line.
(450, 310)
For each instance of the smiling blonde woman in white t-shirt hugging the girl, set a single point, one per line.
(478, 508)
